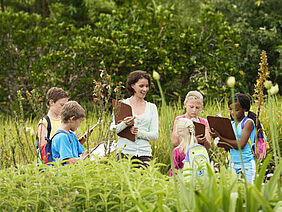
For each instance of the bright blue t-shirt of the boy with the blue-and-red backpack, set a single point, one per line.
(66, 145)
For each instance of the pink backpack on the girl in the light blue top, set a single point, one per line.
(261, 145)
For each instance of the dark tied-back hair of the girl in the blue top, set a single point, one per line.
(245, 103)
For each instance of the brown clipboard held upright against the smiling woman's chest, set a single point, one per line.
(121, 111)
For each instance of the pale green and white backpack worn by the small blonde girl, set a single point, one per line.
(195, 161)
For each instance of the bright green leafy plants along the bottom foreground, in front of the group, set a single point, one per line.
(107, 185)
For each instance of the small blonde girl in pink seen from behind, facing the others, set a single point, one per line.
(185, 130)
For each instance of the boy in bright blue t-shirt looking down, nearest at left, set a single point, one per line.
(64, 144)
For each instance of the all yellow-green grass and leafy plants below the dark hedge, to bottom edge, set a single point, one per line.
(107, 185)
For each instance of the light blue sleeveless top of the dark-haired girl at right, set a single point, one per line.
(247, 153)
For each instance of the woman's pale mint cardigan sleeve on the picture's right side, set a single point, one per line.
(153, 133)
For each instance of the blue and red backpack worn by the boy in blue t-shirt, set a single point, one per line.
(46, 149)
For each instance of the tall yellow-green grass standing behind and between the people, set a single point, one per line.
(17, 137)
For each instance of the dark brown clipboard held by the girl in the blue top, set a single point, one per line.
(222, 125)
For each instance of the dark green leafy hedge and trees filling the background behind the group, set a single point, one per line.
(67, 44)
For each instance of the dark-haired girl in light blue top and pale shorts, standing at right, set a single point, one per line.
(244, 129)
